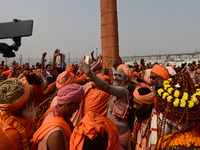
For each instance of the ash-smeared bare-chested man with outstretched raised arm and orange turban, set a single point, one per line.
(118, 103)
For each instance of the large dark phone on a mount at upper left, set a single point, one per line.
(16, 29)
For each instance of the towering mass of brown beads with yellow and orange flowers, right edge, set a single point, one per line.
(178, 101)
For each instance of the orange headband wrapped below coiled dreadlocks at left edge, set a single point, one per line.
(19, 102)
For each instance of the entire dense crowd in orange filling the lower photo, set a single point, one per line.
(82, 107)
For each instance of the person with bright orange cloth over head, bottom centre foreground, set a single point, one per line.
(95, 132)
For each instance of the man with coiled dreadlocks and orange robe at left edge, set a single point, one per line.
(17, 115)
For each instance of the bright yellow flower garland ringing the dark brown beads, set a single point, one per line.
(167, 91)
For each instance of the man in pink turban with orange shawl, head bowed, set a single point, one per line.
(56, 127)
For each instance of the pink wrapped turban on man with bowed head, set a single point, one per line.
(70, 93)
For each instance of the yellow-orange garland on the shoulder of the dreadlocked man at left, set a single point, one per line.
(7, 117)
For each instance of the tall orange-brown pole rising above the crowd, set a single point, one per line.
(109, 33)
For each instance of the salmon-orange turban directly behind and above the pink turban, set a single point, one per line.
(64, 78)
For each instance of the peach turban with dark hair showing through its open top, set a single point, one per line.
(146, 98)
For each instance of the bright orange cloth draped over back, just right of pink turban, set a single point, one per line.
(95, 100)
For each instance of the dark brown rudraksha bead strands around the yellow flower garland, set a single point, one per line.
(184, 116)
